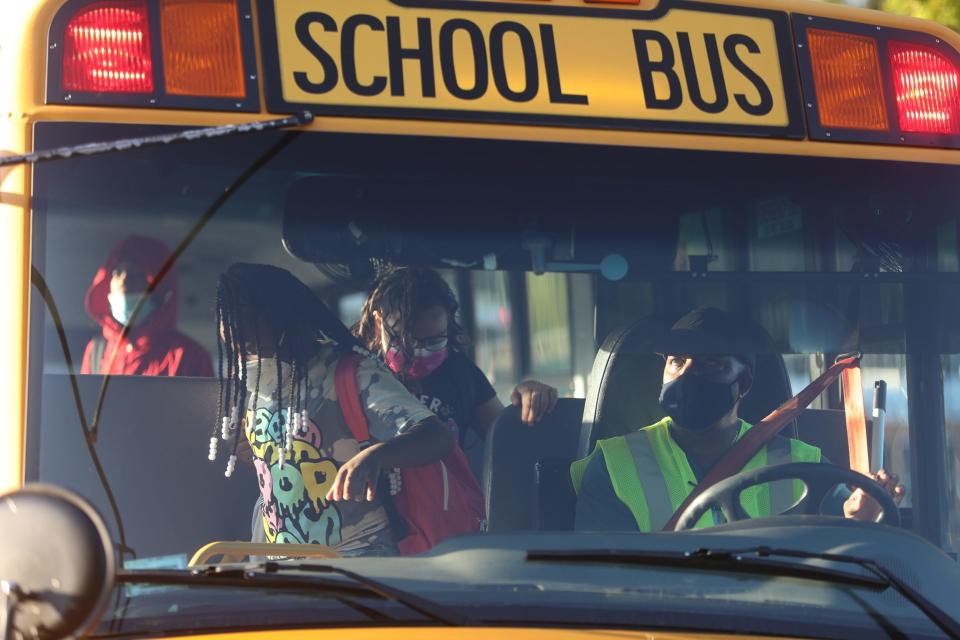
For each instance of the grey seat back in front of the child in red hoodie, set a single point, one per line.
(153, 446)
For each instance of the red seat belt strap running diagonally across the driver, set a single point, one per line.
(757, 437)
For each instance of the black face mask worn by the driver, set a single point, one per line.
(695, 403)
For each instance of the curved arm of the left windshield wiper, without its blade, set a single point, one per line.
(414, 602)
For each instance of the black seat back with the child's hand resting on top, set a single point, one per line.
(526, 477)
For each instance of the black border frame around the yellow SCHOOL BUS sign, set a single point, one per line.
(794, 129)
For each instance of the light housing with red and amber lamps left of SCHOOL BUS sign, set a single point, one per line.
(178, 54)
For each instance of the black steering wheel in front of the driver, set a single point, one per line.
(818, 478)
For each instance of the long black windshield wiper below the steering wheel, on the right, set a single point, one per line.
(755, 560)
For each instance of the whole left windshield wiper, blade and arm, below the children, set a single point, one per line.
(274, 574)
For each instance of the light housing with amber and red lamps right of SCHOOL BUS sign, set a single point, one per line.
(871, 83)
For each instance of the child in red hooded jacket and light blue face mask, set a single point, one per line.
(153, 347)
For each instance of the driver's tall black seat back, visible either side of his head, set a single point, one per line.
(627, 375)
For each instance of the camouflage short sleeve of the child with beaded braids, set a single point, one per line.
(389, 407)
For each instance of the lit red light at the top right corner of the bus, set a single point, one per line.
(927, 88)
